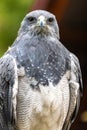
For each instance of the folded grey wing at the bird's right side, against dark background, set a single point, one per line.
(76, 88)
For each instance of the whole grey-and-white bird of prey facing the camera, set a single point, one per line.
(40, 80)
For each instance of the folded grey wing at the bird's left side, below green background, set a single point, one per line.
(8, 91)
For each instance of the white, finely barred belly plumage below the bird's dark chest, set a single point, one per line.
(44, 110)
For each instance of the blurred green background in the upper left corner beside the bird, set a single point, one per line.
(11, 14)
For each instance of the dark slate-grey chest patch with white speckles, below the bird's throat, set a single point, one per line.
(44, 60)
